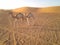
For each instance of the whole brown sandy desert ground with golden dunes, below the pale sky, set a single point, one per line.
(42, 28)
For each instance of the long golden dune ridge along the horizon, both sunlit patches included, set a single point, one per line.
(40, 10)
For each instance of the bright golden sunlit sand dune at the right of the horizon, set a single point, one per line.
(50, 10)
